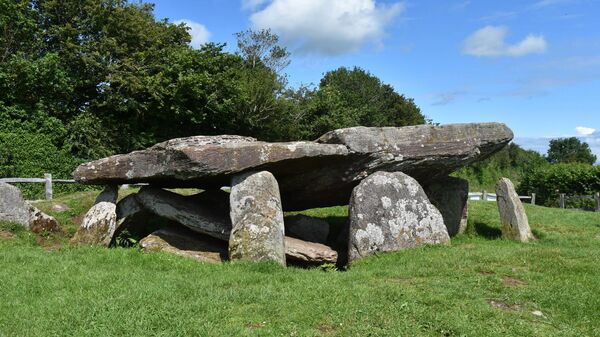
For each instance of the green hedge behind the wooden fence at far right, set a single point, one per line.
(572, 179)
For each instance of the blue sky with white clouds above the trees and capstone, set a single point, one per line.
(534, 65)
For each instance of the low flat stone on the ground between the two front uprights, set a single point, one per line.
(311, 252)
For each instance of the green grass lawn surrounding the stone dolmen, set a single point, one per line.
(481, 285)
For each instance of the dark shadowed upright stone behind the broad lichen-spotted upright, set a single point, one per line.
(449, 195)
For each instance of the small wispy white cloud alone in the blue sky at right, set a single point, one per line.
(491, 41)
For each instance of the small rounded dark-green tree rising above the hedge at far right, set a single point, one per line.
(570, 150)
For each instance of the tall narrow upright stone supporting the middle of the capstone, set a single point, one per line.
(257, 219)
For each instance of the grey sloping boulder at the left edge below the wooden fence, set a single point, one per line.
(15, 209)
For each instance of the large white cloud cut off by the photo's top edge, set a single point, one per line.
(330, 27)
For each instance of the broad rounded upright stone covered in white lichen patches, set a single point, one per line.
(389, 212)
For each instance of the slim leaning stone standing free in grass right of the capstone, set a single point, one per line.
(513, 218)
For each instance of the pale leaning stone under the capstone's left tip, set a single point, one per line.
(98, 225)
